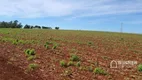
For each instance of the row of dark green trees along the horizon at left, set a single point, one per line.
(17, 24)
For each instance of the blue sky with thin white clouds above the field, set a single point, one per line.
(97, 15)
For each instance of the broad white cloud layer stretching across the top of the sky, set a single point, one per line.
(79, 8)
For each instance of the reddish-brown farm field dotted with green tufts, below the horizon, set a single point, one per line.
(33, 54)
